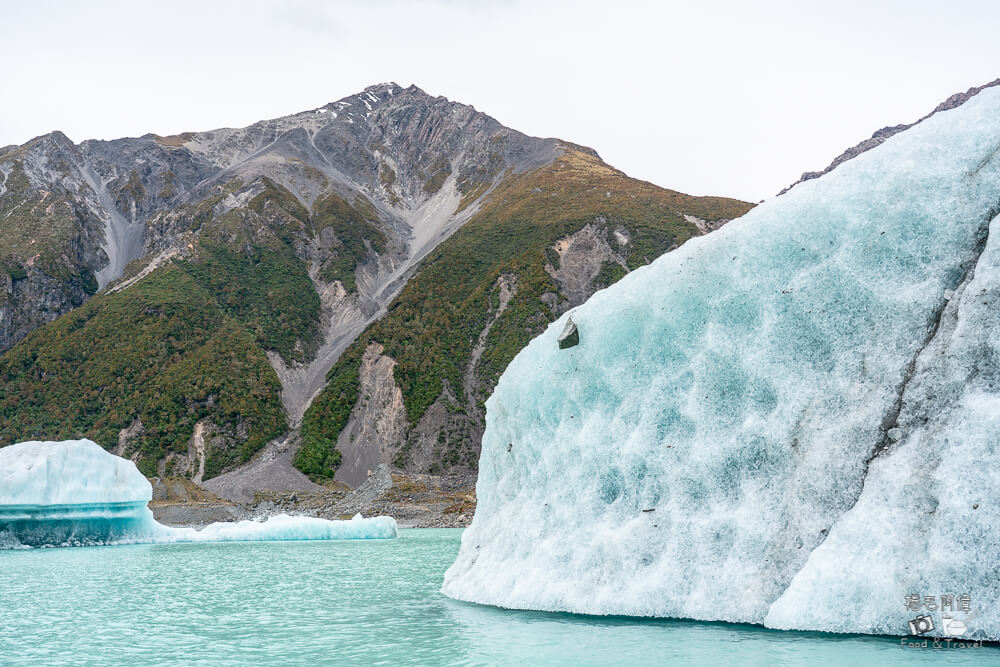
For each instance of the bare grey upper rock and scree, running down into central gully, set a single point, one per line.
(417, 159)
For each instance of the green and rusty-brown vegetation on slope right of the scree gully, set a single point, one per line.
(431, 328)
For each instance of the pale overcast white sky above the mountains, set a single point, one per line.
(710, 97)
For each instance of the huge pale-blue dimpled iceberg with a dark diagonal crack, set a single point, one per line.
(717, 446)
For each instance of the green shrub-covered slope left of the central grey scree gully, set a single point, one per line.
(139, 366)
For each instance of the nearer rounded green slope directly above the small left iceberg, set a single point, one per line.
(162, 351)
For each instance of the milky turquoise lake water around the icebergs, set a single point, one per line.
(352, 602)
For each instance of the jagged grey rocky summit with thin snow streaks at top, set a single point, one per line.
(400, 147)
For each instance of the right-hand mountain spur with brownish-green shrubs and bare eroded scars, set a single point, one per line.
(542, 242)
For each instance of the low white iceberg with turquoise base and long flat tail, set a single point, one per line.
(73, 493)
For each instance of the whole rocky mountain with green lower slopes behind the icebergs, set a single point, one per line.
(184, 299)
